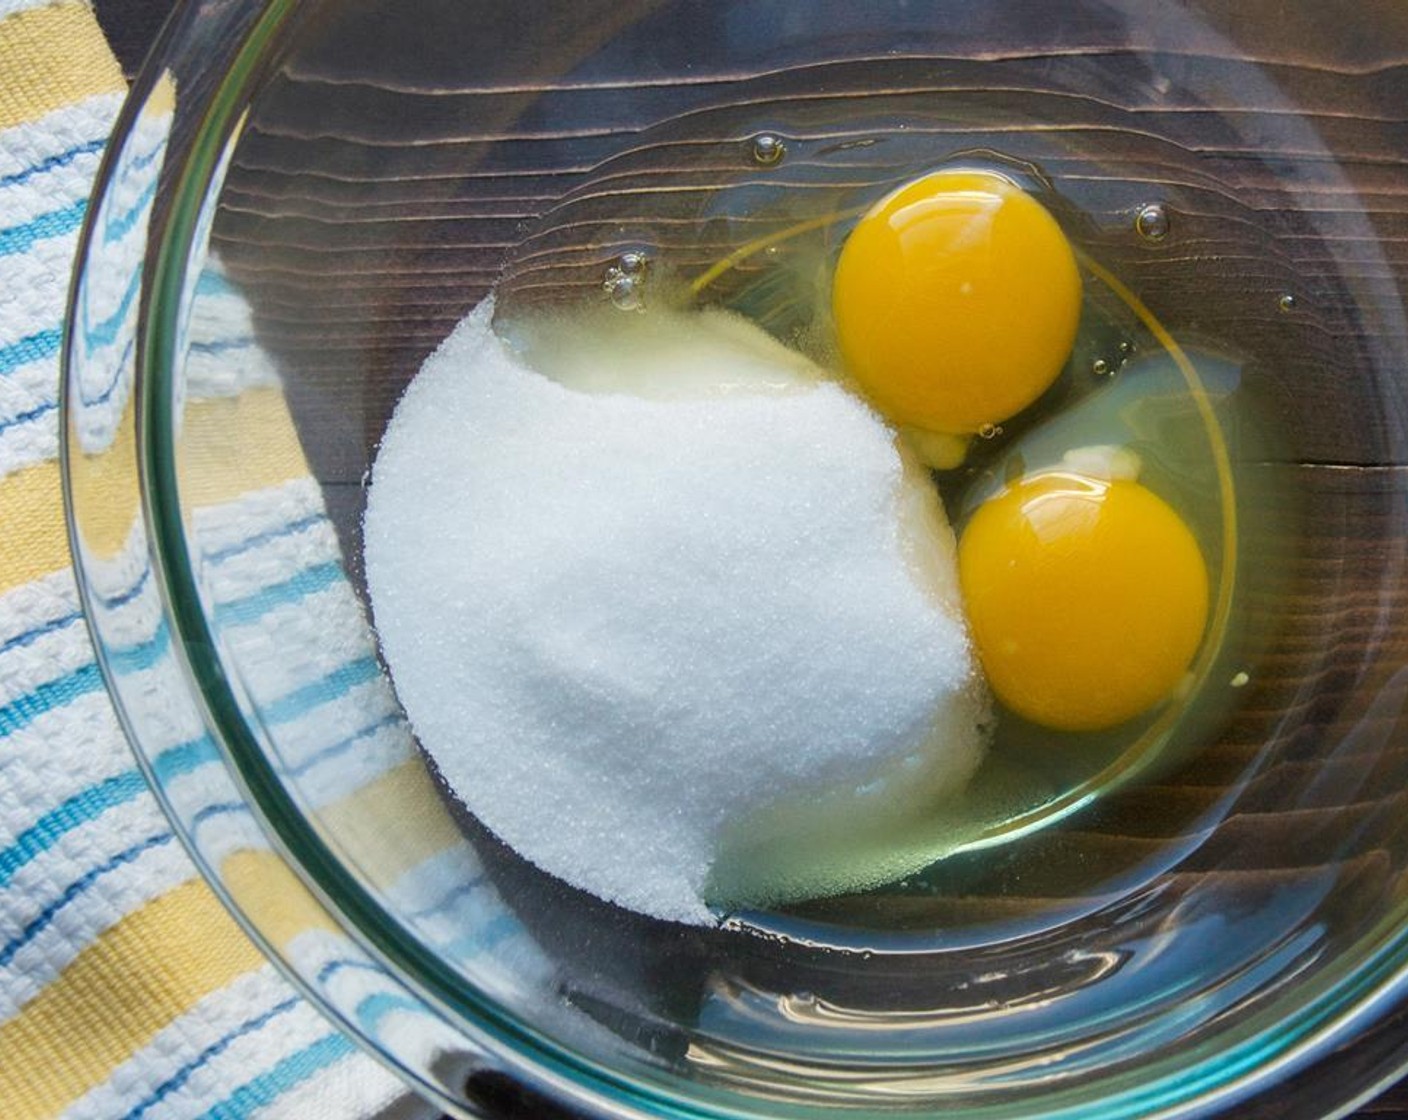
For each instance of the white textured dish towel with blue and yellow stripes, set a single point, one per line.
(126, 991)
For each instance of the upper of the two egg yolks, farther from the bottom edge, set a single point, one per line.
(957, 302)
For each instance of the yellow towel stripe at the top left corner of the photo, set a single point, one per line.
(53, 57)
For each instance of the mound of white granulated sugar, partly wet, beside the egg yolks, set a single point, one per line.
(672, 647)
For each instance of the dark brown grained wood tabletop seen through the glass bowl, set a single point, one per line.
(392, 173)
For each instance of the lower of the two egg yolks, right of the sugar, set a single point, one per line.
(1086, 599)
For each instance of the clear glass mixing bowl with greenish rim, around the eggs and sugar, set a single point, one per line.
(305, 198)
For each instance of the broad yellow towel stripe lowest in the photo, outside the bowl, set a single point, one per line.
(116, 995)
